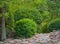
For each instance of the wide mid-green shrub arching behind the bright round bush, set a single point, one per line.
(31, 14)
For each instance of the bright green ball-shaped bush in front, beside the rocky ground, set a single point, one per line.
(25, 28)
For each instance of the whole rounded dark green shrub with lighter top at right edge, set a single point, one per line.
(54, 24)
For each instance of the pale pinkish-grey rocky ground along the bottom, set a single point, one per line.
(47, 38)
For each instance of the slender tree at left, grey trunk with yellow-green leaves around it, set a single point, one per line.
(10, 10)
